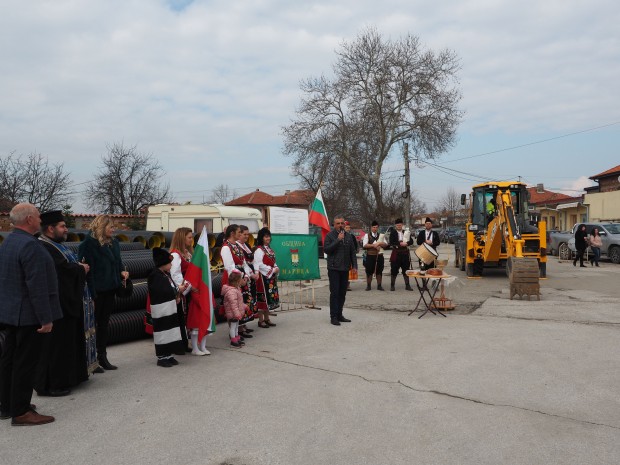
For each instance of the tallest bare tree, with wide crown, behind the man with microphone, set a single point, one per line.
(383, 93)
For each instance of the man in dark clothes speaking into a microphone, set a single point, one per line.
(340, 249)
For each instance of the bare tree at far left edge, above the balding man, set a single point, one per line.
(33, 179)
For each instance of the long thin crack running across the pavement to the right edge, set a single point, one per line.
(425, 391)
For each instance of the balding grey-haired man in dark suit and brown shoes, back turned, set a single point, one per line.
(29, 296)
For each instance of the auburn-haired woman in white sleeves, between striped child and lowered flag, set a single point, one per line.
(181, 250)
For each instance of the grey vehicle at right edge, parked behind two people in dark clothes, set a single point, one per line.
(563, 243)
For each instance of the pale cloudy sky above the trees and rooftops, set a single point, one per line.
(205, 86)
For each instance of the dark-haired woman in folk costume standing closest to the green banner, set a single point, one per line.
(267, 294)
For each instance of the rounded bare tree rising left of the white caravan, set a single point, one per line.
(127, 182)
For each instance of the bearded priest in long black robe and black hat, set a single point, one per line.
(63, 360)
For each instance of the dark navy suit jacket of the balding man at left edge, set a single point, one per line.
(28, 283)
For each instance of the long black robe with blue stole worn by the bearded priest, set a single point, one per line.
(63, 362)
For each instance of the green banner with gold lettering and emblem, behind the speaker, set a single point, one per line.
(297, 256)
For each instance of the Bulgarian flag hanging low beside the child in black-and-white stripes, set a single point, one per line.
(201, 313)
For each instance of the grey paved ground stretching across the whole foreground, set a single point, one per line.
(497, 381)
